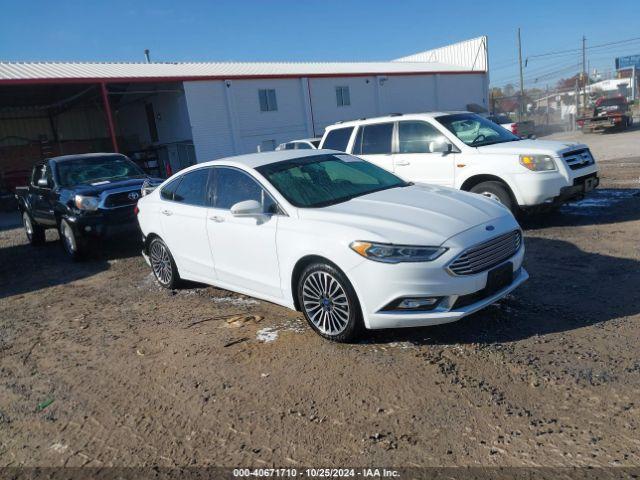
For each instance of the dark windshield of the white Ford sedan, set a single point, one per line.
(322, 180)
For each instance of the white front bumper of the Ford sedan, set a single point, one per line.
(379, 285)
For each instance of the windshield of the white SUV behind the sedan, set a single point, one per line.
(476, 131)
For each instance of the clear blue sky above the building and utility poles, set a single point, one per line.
(314, 30)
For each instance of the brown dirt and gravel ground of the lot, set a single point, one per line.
(101, 367)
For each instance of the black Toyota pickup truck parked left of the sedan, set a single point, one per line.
(86, 197)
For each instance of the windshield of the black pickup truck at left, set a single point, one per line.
(96, 169)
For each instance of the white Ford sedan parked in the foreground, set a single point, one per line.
(349, 244)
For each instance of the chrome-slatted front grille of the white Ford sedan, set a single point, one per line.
(487, 255)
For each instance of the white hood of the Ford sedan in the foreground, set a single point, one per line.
(417, 214)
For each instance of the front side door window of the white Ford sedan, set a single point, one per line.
(233, 186)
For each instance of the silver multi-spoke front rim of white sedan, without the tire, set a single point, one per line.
(326, 303)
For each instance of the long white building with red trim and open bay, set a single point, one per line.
(221, 108)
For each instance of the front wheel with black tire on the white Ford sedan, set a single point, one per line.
(329, 303)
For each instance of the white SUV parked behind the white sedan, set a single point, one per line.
(468, 152)
